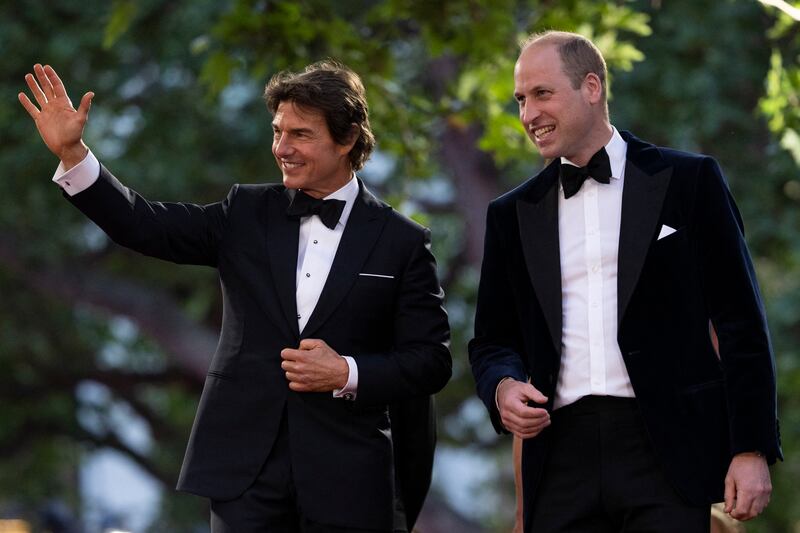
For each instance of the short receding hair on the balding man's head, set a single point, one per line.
(579, 56)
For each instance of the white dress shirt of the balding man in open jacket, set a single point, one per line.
(588, 233)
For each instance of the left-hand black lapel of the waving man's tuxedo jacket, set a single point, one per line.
(283, 234)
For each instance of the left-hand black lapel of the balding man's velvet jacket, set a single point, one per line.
(538, 231)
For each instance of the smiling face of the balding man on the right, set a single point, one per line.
(559, 120)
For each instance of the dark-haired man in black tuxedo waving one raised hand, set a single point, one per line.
(332, 313)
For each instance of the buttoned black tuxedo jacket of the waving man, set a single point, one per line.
(393, 326)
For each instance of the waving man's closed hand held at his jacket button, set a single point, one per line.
(314, 367)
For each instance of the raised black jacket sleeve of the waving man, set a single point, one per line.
(177, 232)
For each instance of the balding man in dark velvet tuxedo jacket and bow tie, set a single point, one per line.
(601, 278)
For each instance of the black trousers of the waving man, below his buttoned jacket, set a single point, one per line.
(270, 504)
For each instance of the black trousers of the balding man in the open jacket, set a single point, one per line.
(602, 476)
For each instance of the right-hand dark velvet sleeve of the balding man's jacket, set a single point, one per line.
(737, 312)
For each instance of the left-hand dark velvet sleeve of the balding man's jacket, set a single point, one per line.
(495, 352)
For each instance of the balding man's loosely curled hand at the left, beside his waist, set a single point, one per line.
(517, 417)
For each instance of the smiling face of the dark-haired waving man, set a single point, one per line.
(306, 153)
